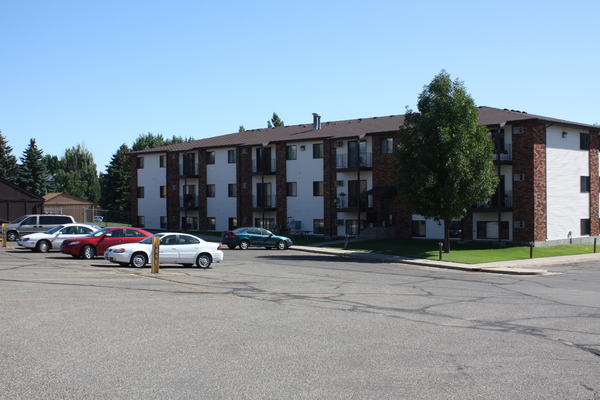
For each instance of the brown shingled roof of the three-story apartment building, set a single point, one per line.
(345, 129)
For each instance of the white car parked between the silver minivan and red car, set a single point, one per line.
(53, 238)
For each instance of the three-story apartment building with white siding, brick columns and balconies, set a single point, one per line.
(336, 178)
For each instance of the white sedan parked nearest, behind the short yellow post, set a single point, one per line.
(175, 248)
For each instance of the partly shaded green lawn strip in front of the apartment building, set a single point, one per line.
(468, 253)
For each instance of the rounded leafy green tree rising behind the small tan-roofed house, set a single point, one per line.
(77, 174)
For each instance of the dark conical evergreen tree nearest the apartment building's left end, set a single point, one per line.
(116, 183)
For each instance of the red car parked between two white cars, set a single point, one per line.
(95, 243)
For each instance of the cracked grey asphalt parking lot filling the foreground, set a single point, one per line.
(268, 324)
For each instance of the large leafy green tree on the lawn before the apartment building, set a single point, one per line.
(444, 163)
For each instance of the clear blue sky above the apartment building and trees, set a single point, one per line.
(100, 73)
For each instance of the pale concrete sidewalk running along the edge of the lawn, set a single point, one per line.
(515, 267)
